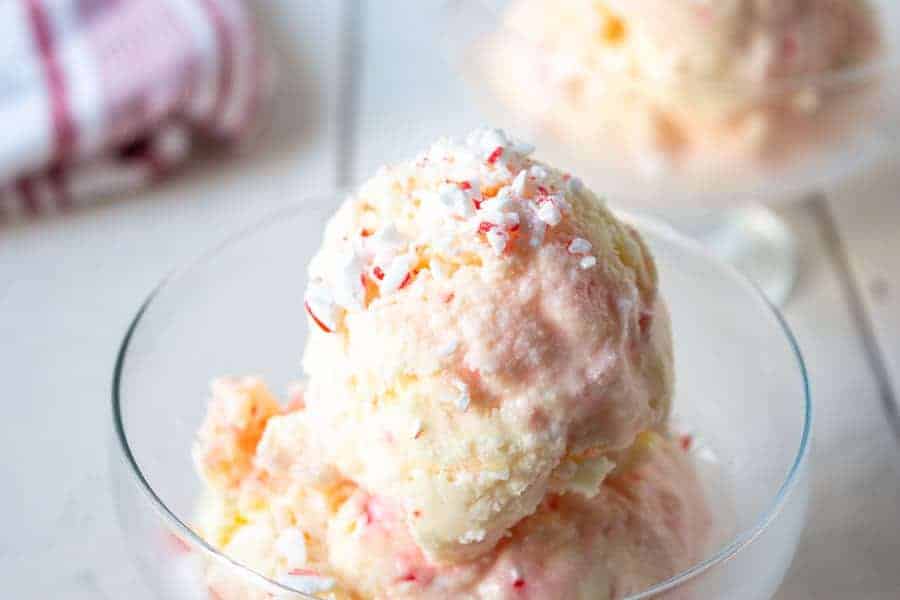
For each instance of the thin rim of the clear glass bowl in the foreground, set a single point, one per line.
(659, 229)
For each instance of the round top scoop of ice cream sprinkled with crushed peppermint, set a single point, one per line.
(485, 331)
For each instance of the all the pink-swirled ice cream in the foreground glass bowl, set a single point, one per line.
(488, 382)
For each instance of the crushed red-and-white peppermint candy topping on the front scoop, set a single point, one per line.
(484, 186)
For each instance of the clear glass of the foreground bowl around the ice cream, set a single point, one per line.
(741, 388)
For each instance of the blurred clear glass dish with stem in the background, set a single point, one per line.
(820, 128)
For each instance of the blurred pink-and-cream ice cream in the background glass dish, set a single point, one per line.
(677, 79)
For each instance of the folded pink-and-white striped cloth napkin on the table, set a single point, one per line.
(99, 96)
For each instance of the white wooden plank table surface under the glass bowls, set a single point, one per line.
(362, 84)
